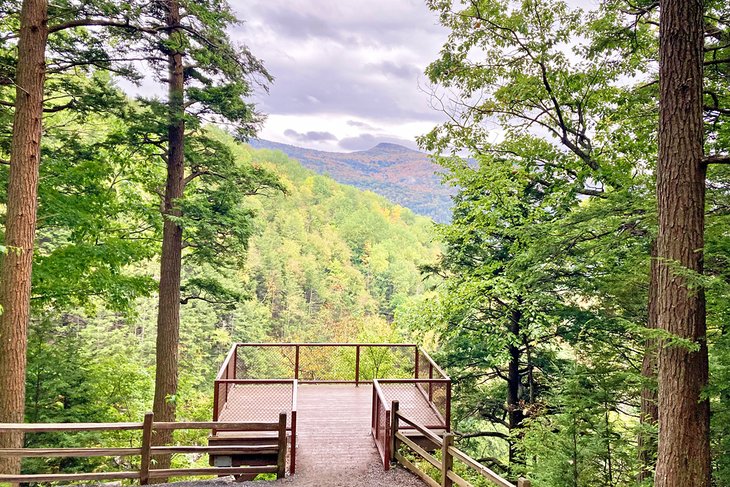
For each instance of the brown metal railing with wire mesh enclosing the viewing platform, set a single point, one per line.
(397, 371)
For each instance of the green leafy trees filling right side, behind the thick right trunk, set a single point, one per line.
(554, 223)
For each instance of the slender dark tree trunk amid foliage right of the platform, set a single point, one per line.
(515, 413)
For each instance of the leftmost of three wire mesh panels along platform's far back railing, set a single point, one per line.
(265, 362)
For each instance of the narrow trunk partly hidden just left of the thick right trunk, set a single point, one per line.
(649, 415)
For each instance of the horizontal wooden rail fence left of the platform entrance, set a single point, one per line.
(146, 450)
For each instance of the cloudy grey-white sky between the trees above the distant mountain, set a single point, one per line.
(349, 73)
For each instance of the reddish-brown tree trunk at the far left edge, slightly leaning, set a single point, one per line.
(20, 220)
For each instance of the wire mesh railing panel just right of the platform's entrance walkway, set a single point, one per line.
(415, 401)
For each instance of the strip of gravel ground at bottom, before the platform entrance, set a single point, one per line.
(373, 476)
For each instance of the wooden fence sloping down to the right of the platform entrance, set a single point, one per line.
(448, 453)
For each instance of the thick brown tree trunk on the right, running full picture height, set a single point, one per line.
(684, 447)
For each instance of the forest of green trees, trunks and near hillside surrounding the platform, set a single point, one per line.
(579, 296)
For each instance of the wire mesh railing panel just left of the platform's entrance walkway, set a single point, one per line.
(256, 401)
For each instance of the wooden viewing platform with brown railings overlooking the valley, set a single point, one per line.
(338, 398)
